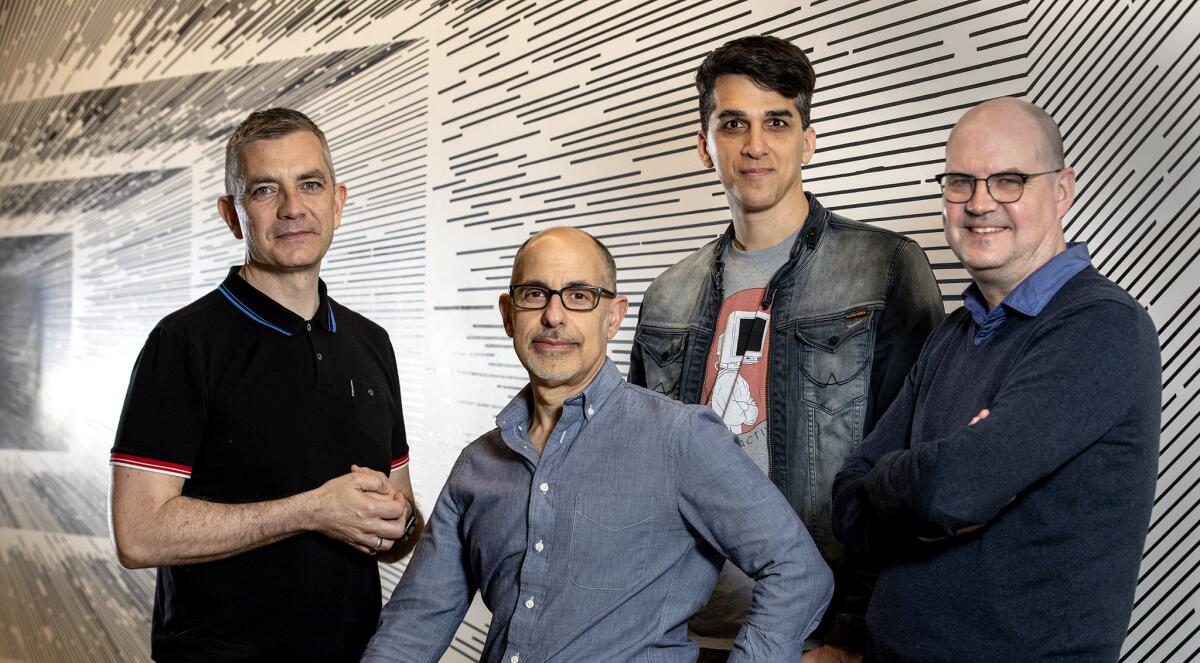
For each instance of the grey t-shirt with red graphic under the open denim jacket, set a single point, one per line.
(736, 389)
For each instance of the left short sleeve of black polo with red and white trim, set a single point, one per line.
(166, 409)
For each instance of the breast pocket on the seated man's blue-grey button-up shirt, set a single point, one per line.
(610, 541)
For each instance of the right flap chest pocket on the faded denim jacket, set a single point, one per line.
(833, 355)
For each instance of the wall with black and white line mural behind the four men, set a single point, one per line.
(463, 127)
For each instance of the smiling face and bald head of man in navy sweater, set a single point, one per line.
(1001, 244)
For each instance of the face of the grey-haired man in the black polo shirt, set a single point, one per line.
(291, 205)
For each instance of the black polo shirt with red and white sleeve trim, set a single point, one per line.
(250, 403)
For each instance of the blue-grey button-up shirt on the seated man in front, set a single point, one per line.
(601, 548)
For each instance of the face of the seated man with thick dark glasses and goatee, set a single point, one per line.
(559, 348)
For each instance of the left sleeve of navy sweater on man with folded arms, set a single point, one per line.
(855, 522)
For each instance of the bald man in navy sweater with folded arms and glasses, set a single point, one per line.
(1007, 491)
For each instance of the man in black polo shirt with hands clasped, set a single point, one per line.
(262, 421)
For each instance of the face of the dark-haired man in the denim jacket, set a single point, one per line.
(758, 145)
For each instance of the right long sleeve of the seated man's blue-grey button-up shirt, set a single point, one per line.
(731, 505)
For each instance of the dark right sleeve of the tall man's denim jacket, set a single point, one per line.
(914, 309)
